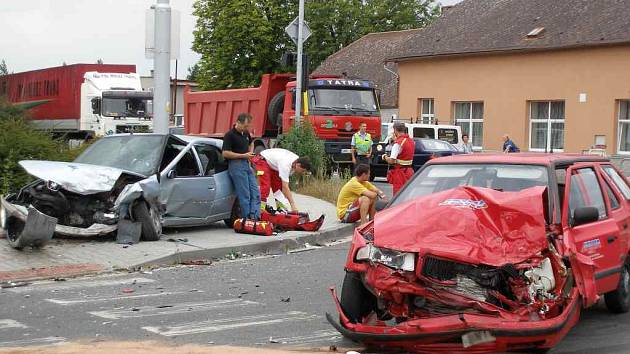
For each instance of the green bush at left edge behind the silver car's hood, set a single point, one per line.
(20, 141)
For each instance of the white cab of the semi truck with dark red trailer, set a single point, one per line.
(114, 103)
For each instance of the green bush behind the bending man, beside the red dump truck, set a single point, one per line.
(303, 141)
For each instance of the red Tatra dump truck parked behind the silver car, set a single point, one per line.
(334, 106)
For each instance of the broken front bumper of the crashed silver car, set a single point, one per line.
(18, 211)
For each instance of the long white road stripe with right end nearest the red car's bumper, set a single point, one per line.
(230, 323)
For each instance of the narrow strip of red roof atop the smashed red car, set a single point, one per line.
(527, 158)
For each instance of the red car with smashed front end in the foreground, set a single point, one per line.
(485, 253)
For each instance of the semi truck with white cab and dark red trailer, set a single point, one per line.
(82, 100)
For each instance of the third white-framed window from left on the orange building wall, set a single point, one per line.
(546, 125)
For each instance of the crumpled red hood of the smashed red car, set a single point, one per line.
(468, 224)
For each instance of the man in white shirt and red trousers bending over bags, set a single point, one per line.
(273, 169)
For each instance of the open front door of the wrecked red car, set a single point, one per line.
(593, 242)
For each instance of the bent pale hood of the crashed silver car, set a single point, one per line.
(76, 177)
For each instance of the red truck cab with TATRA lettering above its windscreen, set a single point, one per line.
(336, 107)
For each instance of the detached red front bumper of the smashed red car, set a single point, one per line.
(445, 333)
